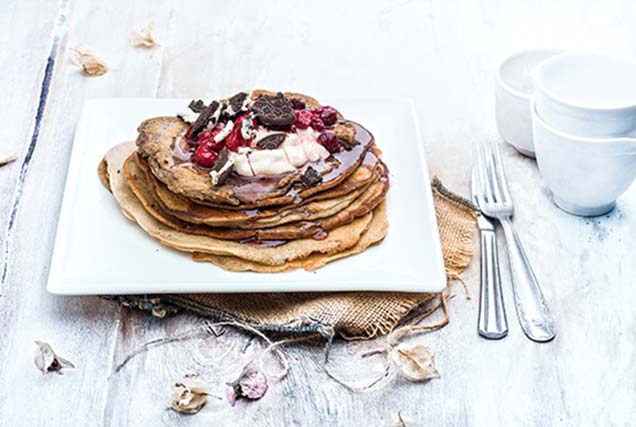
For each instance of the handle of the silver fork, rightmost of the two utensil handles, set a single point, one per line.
(533, 312)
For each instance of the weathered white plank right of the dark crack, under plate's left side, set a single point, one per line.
(84, 329)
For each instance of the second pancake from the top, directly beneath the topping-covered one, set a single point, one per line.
(318, 206)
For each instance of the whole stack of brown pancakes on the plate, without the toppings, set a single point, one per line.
(258, 223)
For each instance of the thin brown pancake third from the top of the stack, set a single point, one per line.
(362, 205)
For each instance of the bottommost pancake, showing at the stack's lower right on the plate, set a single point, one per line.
(374, 234)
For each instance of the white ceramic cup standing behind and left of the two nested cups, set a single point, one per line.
(513, 90)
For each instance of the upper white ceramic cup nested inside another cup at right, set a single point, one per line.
(587, 94)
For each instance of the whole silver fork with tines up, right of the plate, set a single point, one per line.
(494, 200)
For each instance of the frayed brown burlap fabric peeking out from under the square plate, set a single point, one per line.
(456, 222)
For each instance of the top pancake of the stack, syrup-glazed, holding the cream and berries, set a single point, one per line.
(156, 143)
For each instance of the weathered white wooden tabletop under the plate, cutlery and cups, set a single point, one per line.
(441, 53)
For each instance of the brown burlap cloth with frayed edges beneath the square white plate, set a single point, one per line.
(351, 315)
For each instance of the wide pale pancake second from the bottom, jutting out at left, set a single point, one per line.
(338, 240)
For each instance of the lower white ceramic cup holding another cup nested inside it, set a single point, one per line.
(585, 175)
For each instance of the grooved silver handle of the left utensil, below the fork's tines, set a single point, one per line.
(492, 322)
